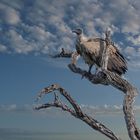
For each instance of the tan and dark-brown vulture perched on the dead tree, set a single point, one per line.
(91, 50)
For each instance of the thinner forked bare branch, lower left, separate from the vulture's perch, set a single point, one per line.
(76, 112)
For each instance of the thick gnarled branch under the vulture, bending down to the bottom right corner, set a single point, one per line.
(106, 77)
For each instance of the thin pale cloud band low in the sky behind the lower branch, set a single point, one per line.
(55, 112)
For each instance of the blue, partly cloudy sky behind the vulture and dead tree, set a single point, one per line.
(32, 30)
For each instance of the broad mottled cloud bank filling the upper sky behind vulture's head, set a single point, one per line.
(45, 26)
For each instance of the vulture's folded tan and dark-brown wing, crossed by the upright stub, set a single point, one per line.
(92, 50)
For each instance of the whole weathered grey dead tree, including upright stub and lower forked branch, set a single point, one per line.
(103, 77)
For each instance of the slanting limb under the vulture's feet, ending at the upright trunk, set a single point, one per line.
(104, 77)
